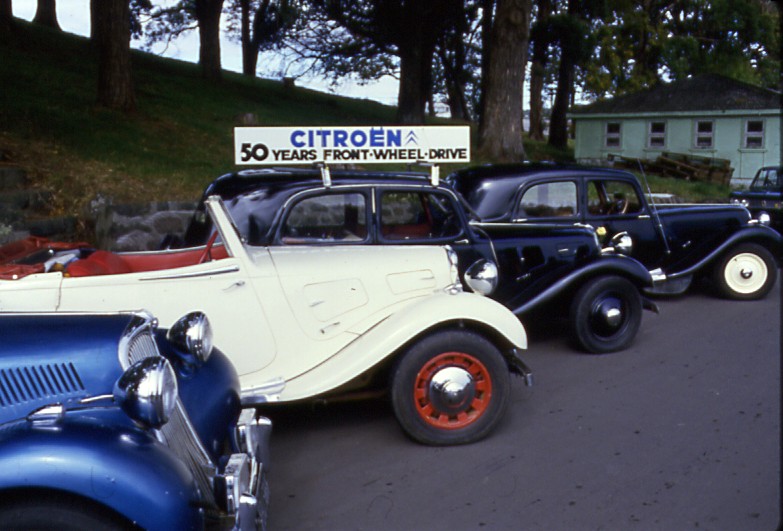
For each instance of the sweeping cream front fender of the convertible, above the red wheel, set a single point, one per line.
(388, 337)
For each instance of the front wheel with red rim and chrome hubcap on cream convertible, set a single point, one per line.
(478, 374)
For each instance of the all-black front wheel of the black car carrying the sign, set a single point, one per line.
(606, 314)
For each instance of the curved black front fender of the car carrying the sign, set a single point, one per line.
(606, 264)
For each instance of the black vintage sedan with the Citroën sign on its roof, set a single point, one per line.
(530, 269)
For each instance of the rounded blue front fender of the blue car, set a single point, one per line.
(122, 468)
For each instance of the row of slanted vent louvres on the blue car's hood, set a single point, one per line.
(27, 384)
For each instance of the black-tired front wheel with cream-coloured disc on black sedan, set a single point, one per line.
(747, 272)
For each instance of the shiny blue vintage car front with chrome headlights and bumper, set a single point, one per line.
(109, 422)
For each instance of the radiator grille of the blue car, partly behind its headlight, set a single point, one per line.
(178, 433)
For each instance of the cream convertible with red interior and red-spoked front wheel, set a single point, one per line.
(308, 321)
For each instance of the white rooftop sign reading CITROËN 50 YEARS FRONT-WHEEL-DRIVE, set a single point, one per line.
(351, 145)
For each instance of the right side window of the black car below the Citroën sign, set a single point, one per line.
(417, 216)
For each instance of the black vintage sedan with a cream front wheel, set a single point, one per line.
(674, 241)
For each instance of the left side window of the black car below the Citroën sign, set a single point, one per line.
(330, 218)
